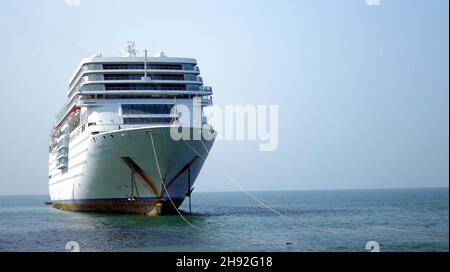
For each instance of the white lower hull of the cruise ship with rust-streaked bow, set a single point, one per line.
(101, 169)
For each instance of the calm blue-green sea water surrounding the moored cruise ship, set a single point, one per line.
(344, 220)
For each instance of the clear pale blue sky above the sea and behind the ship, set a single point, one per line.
(363, 91)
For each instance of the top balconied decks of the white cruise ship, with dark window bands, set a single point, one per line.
(160, 75)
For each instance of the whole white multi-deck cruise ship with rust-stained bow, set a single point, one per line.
(112, 145)
